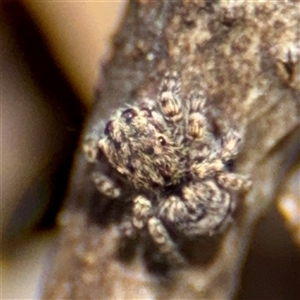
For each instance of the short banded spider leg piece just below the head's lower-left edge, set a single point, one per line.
(105, 185)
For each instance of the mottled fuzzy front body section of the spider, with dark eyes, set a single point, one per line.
(142, 146)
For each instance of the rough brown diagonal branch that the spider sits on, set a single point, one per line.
(245, 56)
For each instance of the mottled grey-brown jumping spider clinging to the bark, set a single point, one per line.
(166, 149)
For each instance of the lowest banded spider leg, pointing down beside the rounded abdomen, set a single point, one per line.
(163, 240)
